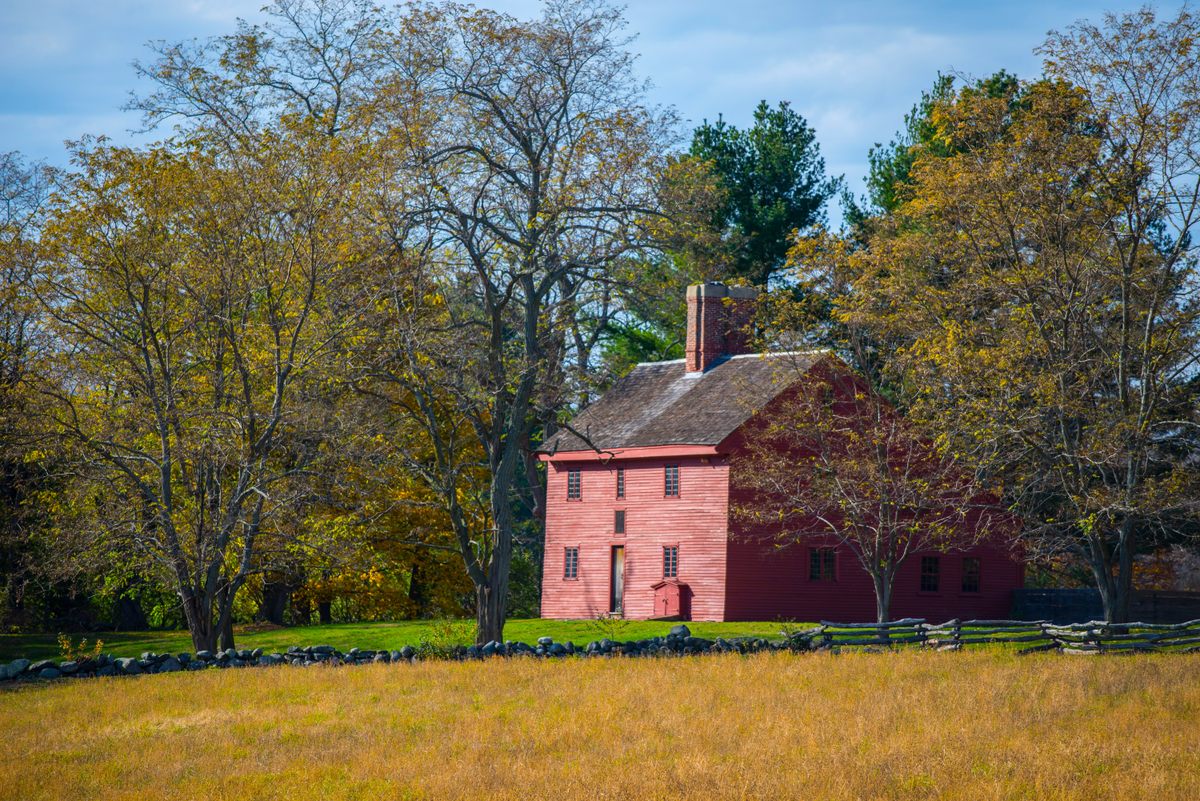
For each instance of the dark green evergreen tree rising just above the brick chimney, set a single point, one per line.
(776, 183)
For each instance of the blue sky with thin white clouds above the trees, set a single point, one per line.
(851, 68)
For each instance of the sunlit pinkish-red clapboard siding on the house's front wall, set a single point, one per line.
(697, 522)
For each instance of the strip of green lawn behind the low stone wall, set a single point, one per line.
(376, 636)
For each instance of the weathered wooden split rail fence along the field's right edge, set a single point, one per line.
(1033, 636)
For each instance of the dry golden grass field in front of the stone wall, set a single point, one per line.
(859, 726)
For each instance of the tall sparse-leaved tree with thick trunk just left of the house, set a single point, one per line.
(529, 160)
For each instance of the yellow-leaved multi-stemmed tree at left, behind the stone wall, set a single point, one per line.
(196, 297)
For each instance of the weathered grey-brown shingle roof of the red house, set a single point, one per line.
(661, 403)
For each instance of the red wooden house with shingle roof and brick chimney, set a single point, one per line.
(639, 516)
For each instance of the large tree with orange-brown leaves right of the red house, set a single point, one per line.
(1043, 281)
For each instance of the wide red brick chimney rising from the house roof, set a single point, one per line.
(718, 318)
